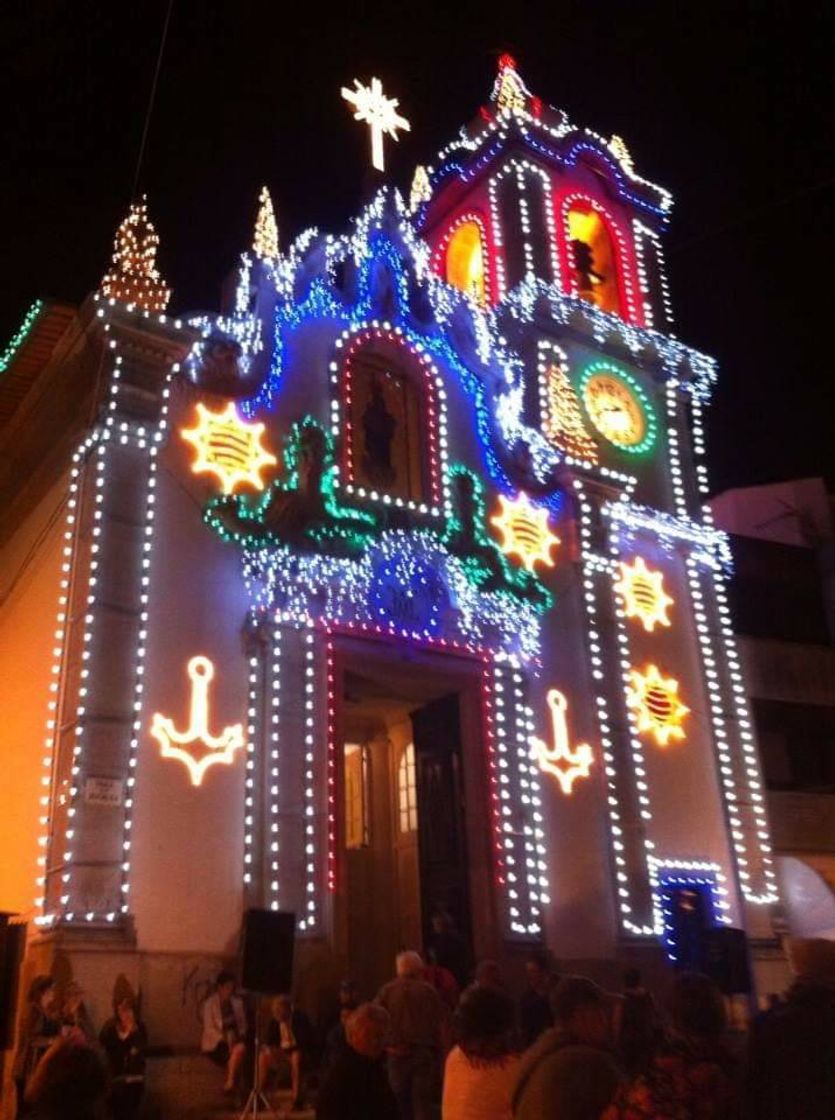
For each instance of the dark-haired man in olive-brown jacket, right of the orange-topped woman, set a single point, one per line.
(570, 1072)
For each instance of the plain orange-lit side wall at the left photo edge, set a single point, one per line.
(30, 583)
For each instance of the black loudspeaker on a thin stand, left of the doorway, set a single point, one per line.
(268, 940)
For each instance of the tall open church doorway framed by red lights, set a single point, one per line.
(414, 843)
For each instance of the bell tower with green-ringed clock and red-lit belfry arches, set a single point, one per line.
(557, 239)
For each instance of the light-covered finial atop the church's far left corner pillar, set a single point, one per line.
(134, 277)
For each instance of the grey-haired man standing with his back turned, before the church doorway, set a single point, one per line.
(418, 1039)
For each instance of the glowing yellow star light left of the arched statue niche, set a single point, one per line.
(229, 449)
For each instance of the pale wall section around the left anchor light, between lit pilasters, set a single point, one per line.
(189, 839)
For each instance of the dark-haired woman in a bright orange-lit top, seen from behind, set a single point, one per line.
(482, 1069)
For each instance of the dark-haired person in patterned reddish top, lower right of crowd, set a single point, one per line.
(693, 1076)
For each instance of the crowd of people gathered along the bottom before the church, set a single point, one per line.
(567, 1050)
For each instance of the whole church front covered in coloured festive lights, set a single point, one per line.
(391, 592)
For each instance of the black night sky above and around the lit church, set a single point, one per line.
(726, 105)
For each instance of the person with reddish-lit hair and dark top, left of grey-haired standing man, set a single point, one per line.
(356, 1087)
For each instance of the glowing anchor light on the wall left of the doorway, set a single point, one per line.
(174, 744)
